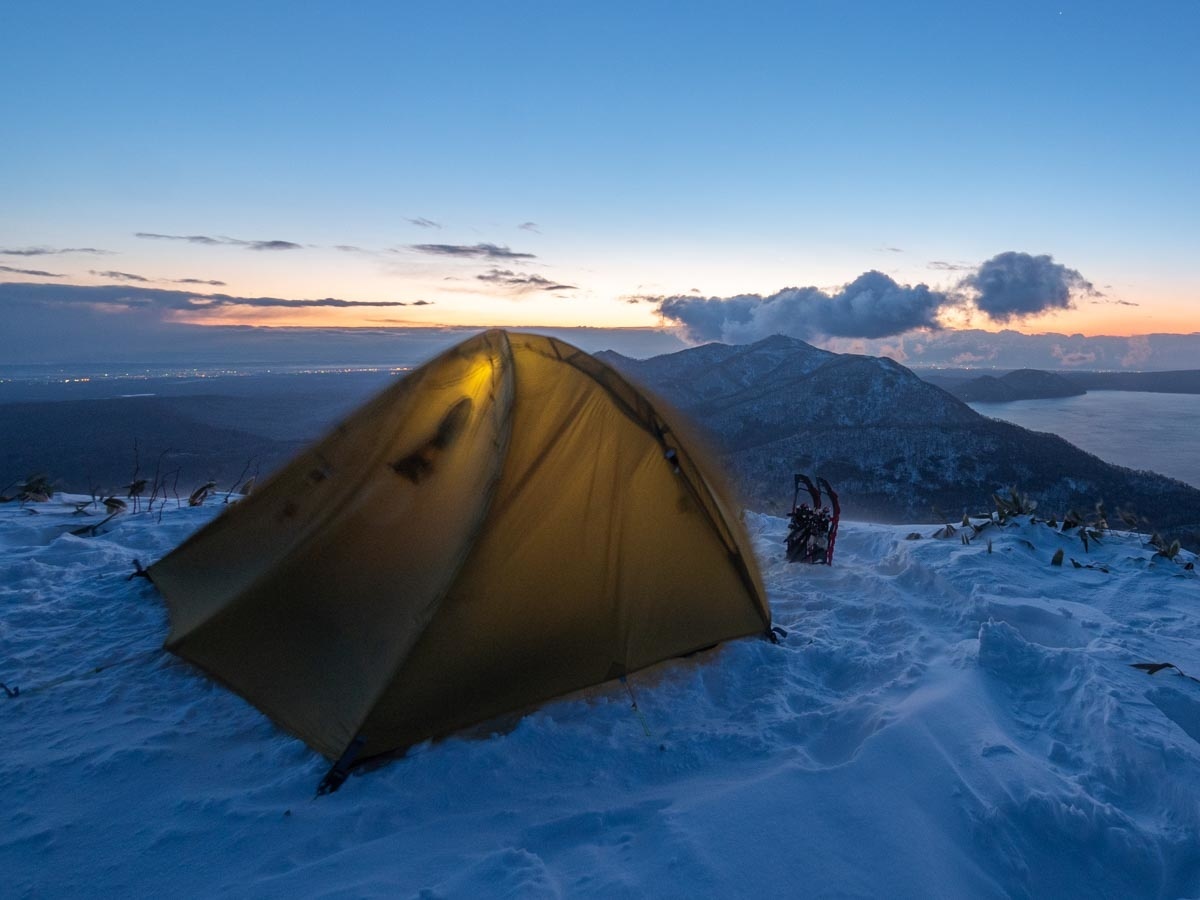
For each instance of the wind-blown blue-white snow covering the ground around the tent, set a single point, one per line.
(941, 722)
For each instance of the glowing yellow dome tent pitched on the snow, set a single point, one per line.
(511, 523)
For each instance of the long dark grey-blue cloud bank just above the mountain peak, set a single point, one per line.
(873, 305)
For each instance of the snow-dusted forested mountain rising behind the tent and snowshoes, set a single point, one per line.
(896, 446)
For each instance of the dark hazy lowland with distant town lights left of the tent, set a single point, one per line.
(206, 429)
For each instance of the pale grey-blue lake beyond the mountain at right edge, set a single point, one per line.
(1143, 431)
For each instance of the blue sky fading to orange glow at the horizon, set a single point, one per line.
(608, 165)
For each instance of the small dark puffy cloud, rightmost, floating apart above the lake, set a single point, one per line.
(1013, 286)
